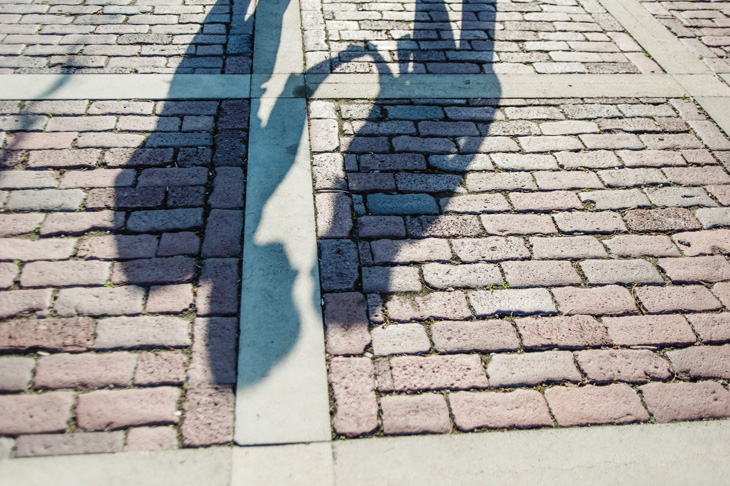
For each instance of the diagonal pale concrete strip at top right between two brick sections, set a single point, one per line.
(666, 49)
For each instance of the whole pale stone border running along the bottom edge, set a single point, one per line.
(669, 454)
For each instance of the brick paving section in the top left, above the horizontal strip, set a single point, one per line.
(124, 36)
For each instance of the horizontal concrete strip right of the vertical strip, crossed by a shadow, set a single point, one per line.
(493, 86)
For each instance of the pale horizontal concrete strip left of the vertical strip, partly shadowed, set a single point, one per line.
(123, 86)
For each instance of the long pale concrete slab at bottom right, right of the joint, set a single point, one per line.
(672, 454)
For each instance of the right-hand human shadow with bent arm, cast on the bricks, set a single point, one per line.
(410, 156)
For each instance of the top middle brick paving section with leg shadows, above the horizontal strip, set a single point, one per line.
(478, 37)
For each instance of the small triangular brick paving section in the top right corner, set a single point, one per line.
(704, 27)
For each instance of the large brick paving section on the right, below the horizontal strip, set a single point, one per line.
(563, 264)
